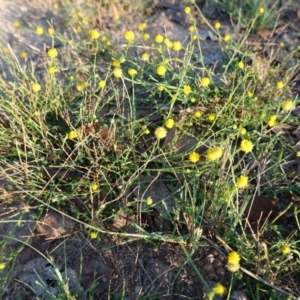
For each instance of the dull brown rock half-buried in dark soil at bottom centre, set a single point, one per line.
(157, 277)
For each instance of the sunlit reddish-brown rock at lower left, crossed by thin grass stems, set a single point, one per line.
(54, 225)
